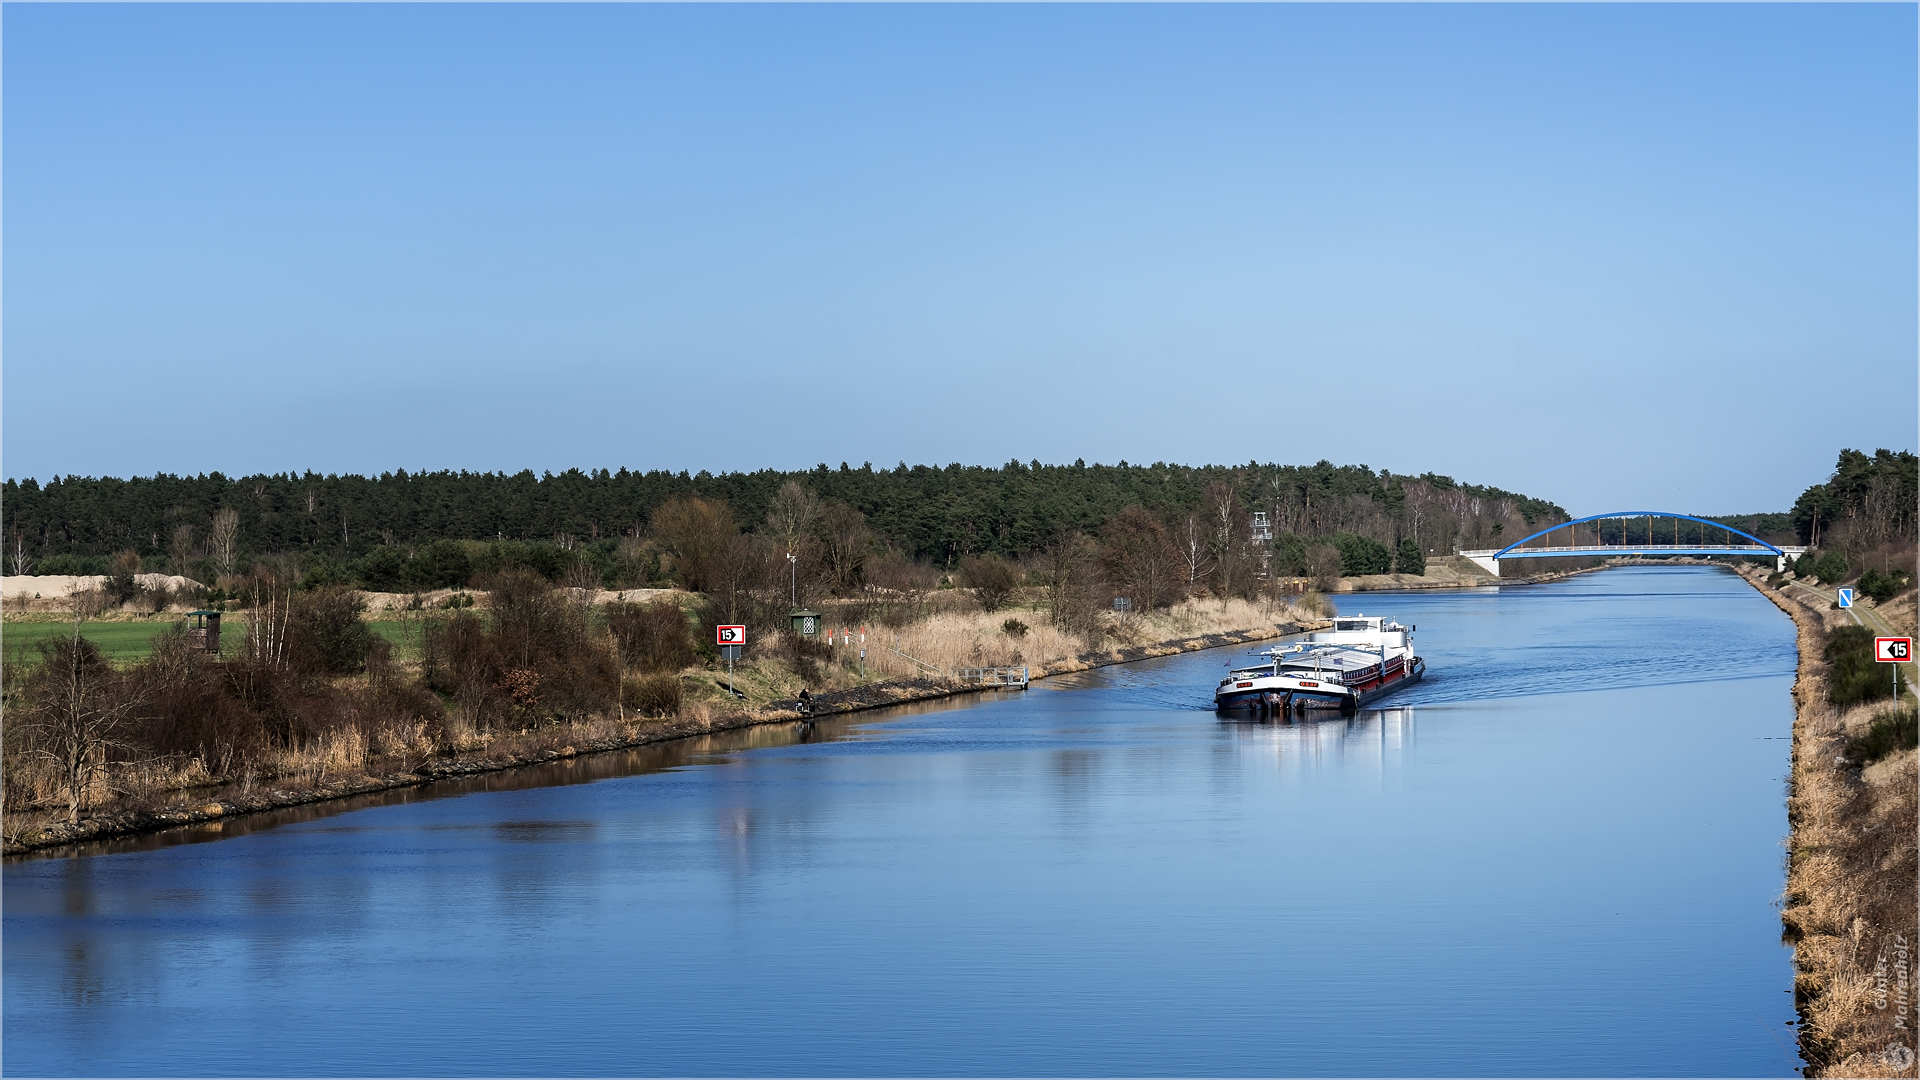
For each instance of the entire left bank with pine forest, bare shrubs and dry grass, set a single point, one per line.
(377, 626)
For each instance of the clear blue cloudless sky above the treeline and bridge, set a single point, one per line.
(1620, 257)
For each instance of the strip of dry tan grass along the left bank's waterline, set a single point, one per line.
(948, 639)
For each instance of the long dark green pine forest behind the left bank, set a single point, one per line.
(395, 529)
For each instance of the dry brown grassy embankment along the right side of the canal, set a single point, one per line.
(1850, 904)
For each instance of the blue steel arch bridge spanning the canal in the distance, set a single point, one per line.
(1635, 533)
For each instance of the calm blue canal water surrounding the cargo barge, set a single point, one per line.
(1556, 856)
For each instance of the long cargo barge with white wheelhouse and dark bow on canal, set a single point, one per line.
(1345, 668)
